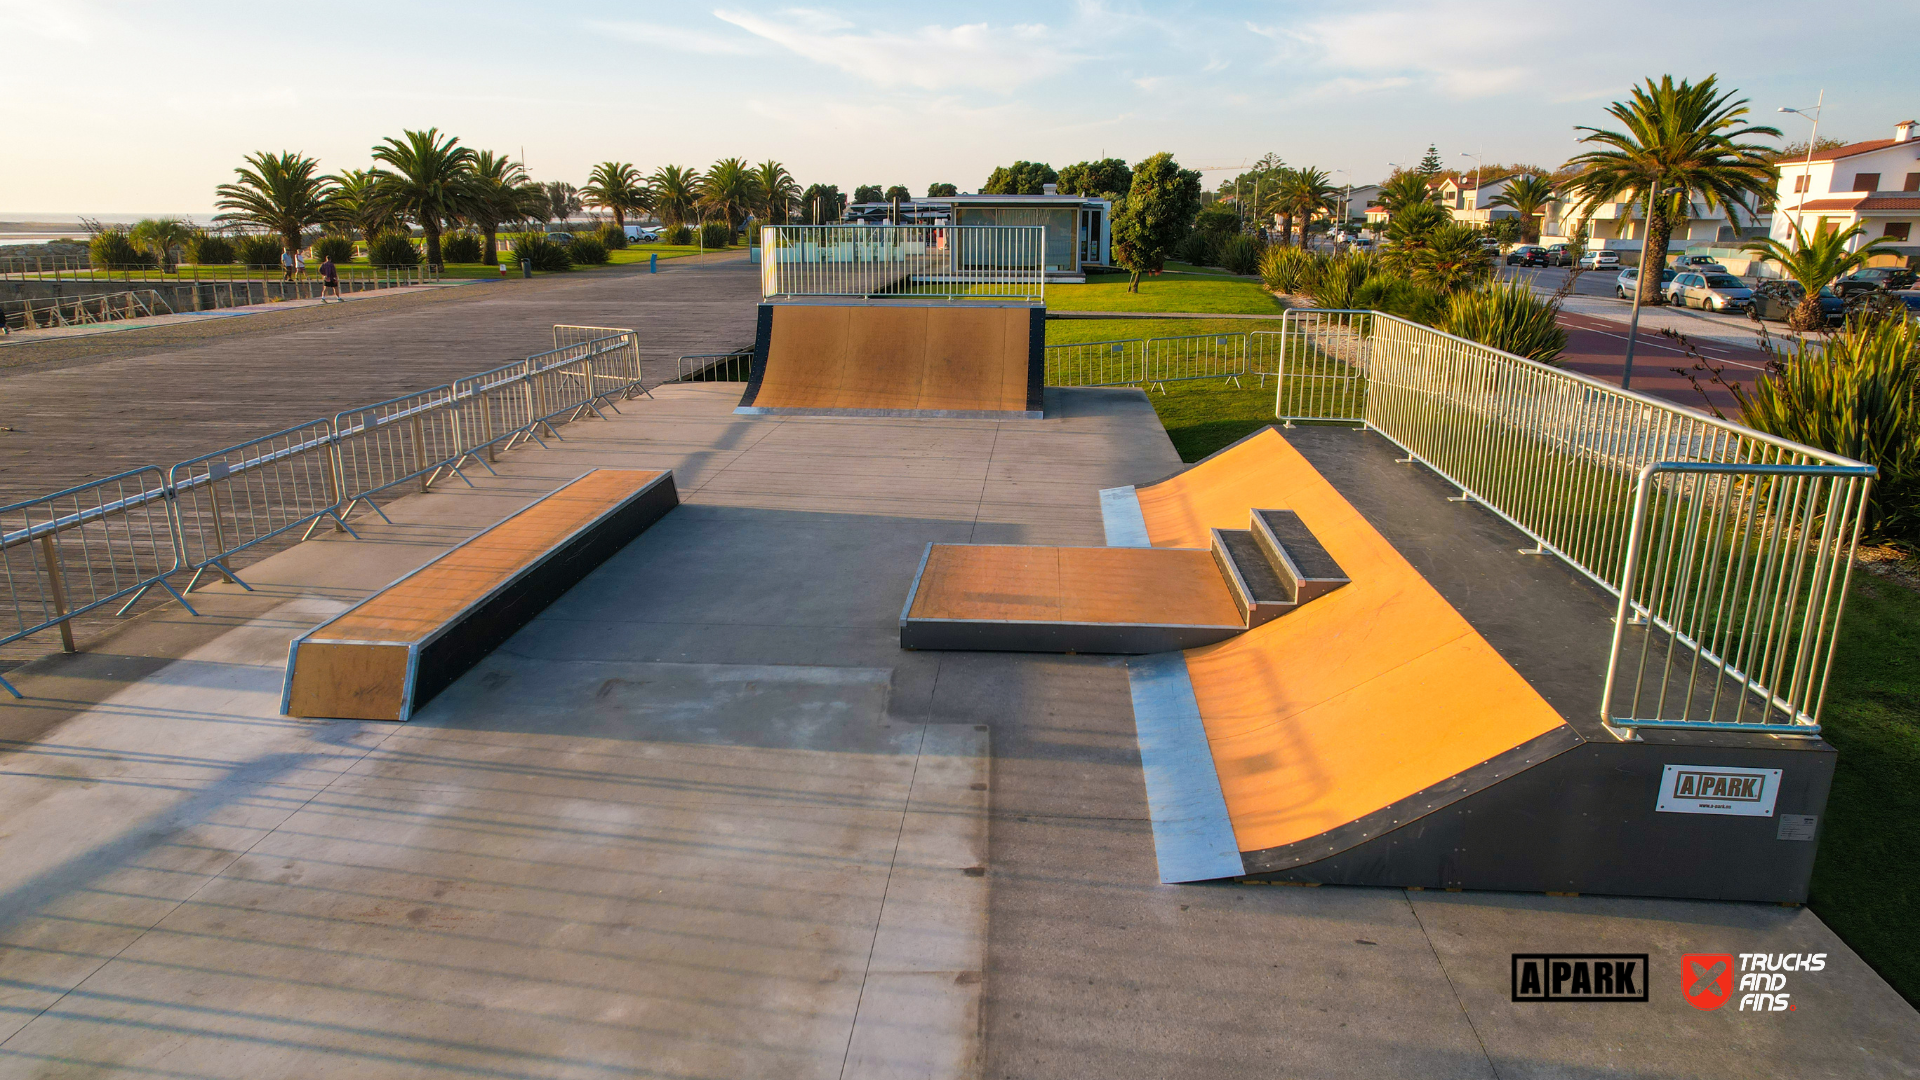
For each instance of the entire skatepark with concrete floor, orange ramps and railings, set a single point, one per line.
(900, 714)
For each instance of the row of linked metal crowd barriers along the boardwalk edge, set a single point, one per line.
(76, 551)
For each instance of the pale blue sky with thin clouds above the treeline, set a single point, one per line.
(143, 109)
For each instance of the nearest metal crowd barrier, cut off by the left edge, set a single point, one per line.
(82, 549)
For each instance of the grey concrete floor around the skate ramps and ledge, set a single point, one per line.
(706, 818)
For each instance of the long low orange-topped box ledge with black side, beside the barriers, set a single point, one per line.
(389, 654)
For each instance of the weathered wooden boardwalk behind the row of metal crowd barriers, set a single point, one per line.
(89, 408)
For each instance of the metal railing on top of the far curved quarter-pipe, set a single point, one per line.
(951, 262)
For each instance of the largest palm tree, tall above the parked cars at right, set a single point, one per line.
(1681, 141)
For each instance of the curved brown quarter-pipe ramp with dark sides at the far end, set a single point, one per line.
(890, 360)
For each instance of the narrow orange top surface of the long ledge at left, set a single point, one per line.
(414, 608)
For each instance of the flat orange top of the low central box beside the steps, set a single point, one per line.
(1074, 585)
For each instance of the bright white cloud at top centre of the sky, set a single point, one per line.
(976, 57)
